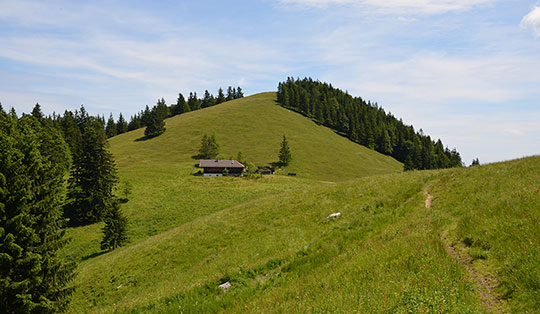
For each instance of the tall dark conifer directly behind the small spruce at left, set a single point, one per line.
(93, 177)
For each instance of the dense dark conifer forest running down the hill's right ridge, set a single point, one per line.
(365, 123)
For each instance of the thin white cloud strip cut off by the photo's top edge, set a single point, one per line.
(399, 6)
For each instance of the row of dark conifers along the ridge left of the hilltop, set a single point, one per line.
(152, 118)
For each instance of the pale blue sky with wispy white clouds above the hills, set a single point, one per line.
(465, 71)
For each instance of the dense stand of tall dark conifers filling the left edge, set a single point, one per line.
(54, 172)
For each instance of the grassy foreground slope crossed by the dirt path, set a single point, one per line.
(387, 253)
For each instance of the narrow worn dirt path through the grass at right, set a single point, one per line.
(485, 284)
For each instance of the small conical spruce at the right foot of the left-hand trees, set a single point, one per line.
(115, 229)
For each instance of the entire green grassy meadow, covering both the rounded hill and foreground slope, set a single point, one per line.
(270, 237)
